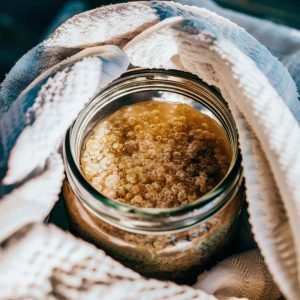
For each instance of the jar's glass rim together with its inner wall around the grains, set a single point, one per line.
(125, 91)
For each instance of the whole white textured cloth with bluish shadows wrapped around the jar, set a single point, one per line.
(47, 88)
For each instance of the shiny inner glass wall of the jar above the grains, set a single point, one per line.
(111, 100)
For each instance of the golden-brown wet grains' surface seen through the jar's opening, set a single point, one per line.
(156, 155)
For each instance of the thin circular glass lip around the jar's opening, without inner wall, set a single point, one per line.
(209, 202)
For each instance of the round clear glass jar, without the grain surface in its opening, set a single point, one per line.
(163, 243)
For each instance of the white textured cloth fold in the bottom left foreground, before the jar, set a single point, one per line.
(60, 267)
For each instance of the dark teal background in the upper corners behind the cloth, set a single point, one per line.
(24, 23)
